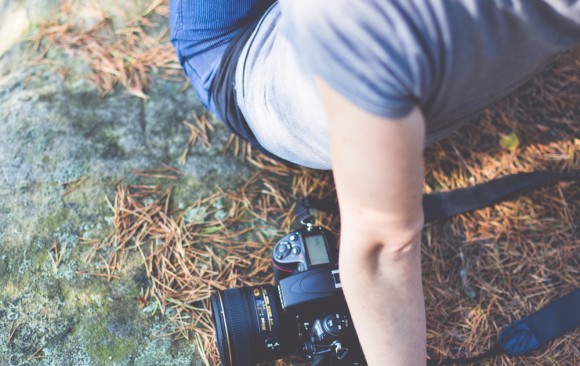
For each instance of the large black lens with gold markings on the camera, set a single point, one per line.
(250, 326)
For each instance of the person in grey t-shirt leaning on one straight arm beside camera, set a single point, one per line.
(360, 87)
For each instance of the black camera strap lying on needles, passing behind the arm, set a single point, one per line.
(523, 335)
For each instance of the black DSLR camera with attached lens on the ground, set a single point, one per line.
(303, 314)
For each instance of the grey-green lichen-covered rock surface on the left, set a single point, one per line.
(54, 131)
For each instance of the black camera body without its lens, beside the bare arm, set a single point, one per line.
(308, 281)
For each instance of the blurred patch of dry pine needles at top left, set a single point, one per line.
(121, 49)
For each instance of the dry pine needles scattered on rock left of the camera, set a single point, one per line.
(217, 242)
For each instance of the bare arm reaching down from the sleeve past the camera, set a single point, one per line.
(378, 169)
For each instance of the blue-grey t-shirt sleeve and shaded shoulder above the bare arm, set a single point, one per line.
(449, 58)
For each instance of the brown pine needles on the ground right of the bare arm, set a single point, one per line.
(488, 268)
